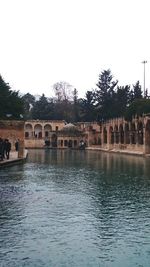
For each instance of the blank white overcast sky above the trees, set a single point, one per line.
(47, 41)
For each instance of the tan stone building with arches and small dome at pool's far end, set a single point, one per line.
(52, 134)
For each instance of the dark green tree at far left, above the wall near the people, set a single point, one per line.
(11, 104)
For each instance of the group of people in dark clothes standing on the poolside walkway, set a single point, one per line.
(5, 148)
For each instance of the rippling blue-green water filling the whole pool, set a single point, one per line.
(75, 208)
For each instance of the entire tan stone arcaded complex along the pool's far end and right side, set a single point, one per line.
(113, 135)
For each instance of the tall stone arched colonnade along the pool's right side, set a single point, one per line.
(121, 134)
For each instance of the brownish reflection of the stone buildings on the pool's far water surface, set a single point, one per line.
(108, 162)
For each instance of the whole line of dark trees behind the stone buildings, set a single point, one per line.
(107, 101)
